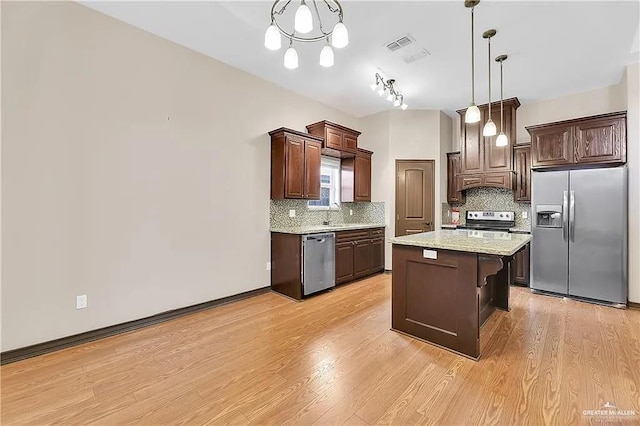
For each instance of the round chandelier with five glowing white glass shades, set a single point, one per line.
(303, 30)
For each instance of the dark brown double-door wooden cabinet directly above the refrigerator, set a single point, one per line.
(583, 142)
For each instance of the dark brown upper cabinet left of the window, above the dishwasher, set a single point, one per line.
(295, 165)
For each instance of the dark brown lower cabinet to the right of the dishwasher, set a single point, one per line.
(359, 253)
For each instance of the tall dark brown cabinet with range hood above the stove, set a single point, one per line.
(482, 163)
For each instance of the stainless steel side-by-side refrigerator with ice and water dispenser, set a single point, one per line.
(579, 228)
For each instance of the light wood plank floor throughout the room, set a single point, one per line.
(332, 359)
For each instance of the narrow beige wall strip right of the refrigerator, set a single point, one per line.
(633, 156)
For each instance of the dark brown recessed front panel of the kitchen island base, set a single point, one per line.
(437, 300)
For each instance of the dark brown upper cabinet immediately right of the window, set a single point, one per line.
(356, 177)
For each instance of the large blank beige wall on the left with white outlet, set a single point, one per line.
(133, 170)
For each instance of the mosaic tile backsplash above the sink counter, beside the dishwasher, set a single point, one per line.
(362, 213)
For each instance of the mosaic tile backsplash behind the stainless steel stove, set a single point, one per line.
(490, 199)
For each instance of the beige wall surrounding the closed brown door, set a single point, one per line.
(397, 135)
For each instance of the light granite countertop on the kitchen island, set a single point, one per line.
(485, 242)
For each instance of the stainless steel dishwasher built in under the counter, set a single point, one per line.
(318, 262)
